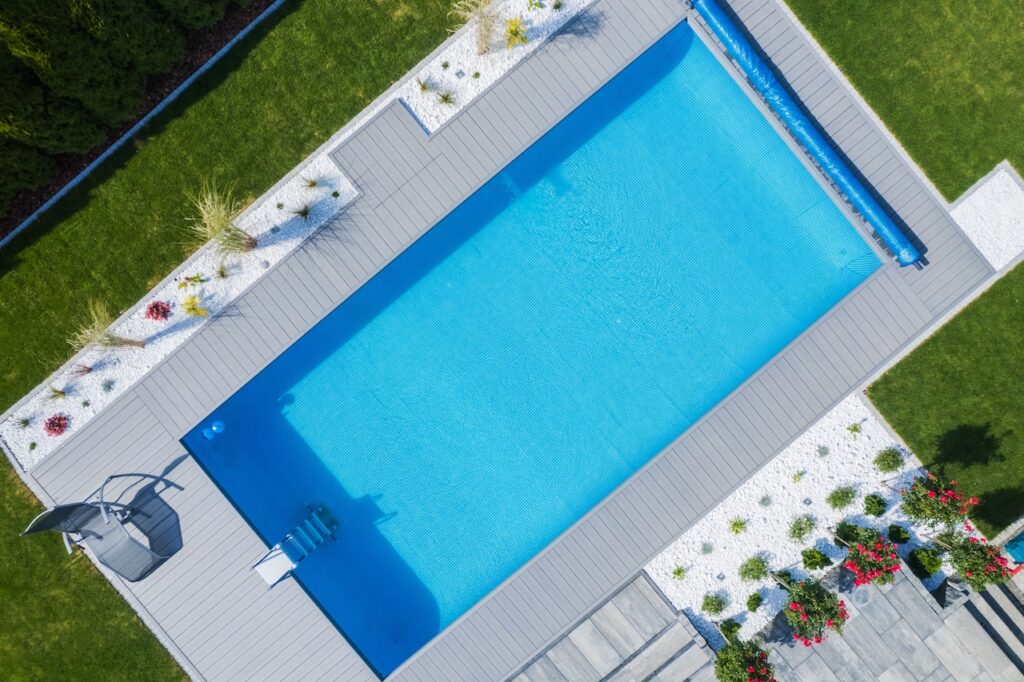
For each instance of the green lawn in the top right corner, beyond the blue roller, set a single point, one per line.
(946, 76)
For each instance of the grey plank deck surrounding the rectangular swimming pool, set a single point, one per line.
(218, 617)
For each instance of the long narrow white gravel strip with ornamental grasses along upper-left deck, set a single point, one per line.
(456, 70)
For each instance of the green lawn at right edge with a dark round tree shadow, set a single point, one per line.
(958, 400)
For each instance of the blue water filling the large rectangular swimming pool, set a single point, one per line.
(536, 349)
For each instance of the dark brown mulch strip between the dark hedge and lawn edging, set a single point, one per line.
(201, 45)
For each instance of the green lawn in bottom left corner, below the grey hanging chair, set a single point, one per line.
(61, 619)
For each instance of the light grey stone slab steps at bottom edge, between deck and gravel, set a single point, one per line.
(634, 636)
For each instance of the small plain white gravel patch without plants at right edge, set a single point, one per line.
(992, 215)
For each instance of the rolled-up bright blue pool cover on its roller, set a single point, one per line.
(805, 132)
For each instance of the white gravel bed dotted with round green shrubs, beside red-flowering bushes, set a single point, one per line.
(830, 457)
